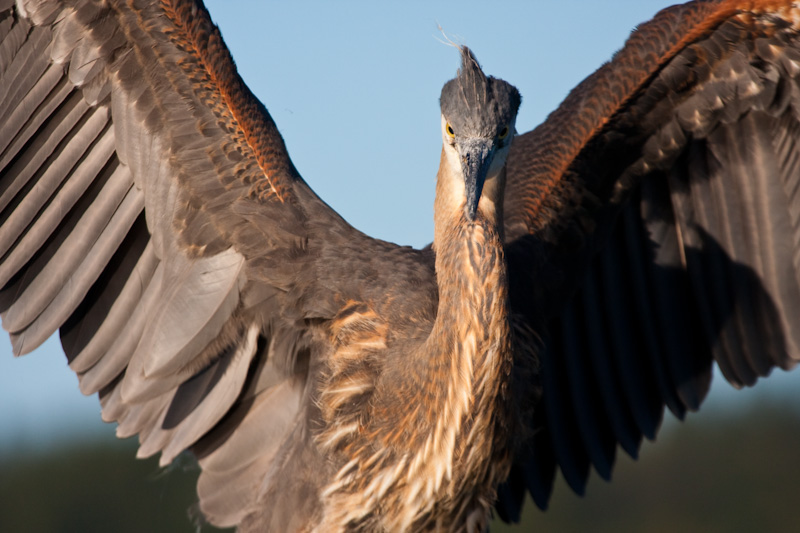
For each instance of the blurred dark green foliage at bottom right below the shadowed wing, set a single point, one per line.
(718, 471)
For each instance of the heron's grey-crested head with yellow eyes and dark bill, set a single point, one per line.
(478, 117)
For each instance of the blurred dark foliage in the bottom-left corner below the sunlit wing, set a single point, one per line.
(96, 487)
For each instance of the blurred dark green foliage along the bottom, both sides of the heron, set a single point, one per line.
(716, 472)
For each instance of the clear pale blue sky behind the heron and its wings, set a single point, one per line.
(354, 88)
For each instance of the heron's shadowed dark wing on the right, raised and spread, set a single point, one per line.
(666, 188)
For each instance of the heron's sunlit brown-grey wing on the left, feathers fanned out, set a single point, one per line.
(149, 210)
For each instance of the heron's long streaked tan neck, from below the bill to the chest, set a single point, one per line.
(468, 354)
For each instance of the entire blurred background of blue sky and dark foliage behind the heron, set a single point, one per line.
(354, 88)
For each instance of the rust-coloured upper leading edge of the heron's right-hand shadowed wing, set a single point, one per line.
(546, 153)
